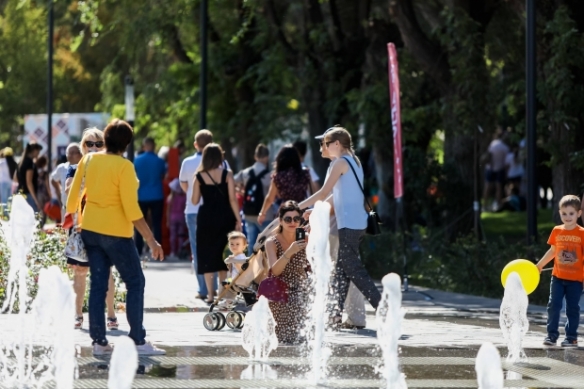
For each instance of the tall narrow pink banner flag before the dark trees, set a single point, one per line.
(398, 184)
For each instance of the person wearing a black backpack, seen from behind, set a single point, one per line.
(255, 182)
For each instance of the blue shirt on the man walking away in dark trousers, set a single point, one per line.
(150, 169)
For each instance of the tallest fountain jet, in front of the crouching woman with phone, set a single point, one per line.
(318, 255)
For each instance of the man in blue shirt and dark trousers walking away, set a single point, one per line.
(150, 169)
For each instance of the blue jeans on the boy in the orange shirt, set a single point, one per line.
(571, 290)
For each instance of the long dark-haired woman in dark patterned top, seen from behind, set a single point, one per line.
(289, 181)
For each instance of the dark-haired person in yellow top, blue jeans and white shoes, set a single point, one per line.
(111, 212)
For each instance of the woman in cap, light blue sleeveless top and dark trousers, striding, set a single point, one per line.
(346, 173)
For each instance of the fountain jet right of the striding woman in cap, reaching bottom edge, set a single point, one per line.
(389, 317)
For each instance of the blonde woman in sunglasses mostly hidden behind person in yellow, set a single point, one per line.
(92, 141)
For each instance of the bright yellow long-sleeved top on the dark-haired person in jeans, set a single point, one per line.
(111, 186)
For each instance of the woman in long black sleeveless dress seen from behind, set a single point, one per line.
(218, 215)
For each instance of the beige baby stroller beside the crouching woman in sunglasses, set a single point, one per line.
(244, 285)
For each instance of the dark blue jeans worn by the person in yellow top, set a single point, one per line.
(104, 251)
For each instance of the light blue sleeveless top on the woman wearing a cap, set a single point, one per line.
(349, 200)
